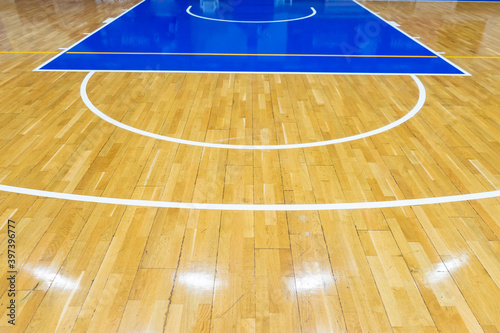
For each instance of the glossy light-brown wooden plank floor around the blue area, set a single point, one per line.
(94, 267)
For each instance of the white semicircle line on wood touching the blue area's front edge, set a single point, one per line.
(100, 114)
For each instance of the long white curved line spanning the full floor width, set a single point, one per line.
(251, 207)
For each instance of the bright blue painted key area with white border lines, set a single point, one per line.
(264, 36)
